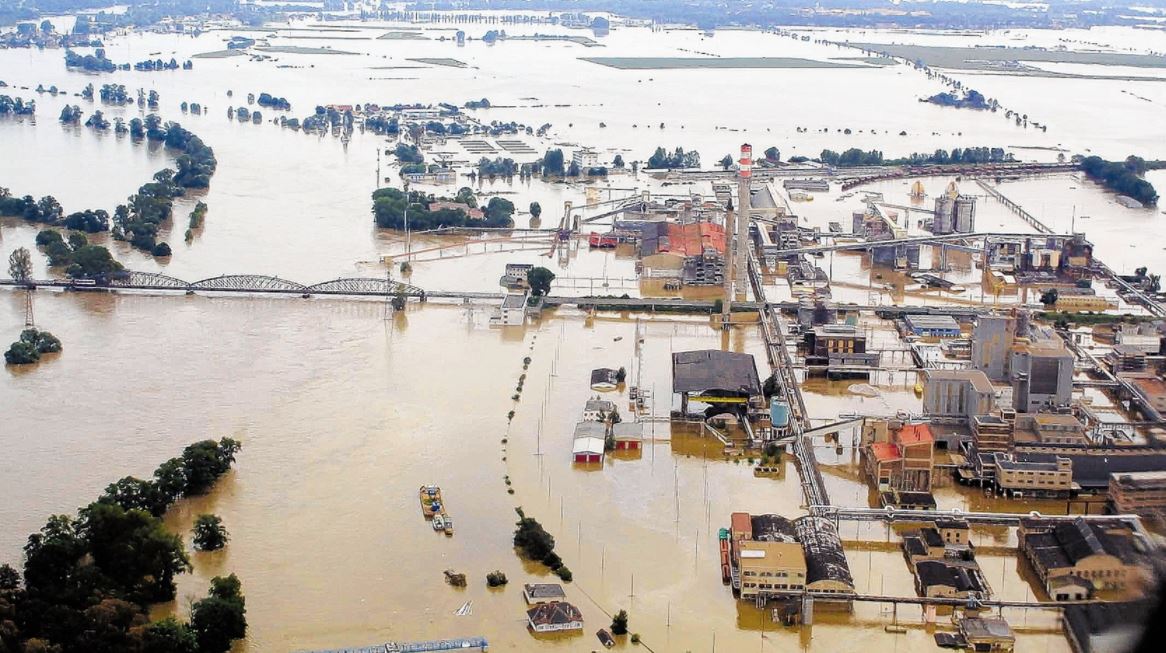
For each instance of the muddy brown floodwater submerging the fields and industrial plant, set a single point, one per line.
(343, 415)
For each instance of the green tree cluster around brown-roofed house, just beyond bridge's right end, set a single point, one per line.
(390, 207)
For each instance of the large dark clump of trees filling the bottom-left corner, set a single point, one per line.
(89, 580)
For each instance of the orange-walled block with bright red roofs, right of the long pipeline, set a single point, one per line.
(898, 457)
